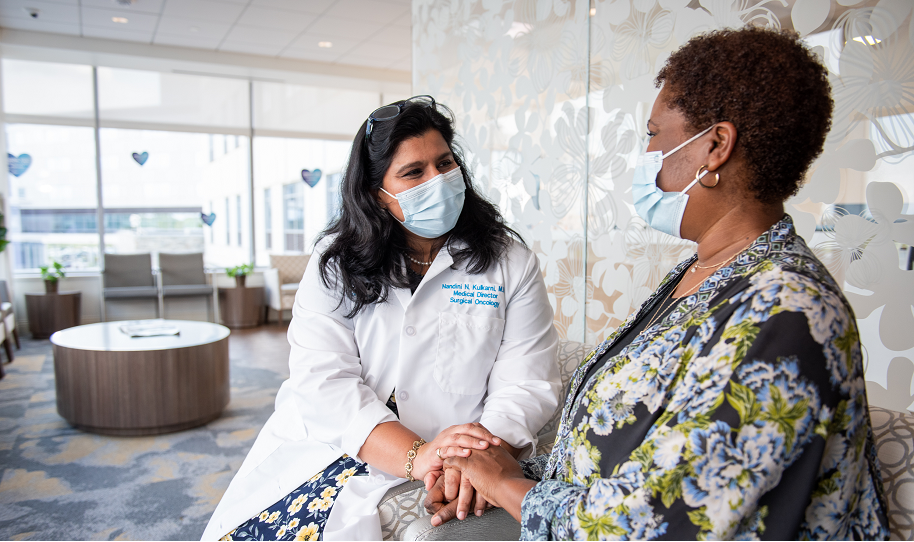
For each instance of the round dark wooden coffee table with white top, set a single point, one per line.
(114, 384)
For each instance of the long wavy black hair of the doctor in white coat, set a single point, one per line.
(365, 257)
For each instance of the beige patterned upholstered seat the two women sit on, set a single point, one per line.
(403, 516)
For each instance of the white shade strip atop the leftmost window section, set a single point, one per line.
(44, 88)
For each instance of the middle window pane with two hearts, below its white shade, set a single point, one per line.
(161, 195)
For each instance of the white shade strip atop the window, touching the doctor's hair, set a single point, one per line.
(296, 108)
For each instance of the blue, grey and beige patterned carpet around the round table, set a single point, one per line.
(59, 483)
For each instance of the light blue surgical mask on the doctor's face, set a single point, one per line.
(431, 209)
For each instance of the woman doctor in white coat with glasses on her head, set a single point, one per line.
(421, 327)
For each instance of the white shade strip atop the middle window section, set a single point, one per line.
(169, 98)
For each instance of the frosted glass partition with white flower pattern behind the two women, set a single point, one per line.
(552, 98)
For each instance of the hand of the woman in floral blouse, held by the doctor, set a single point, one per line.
(494, 473)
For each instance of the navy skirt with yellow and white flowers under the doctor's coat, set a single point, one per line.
(302, 514)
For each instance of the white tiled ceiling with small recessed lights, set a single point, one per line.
(371, 33)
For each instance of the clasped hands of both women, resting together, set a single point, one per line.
(472, 476)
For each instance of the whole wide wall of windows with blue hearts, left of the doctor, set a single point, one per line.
(175, 159)
